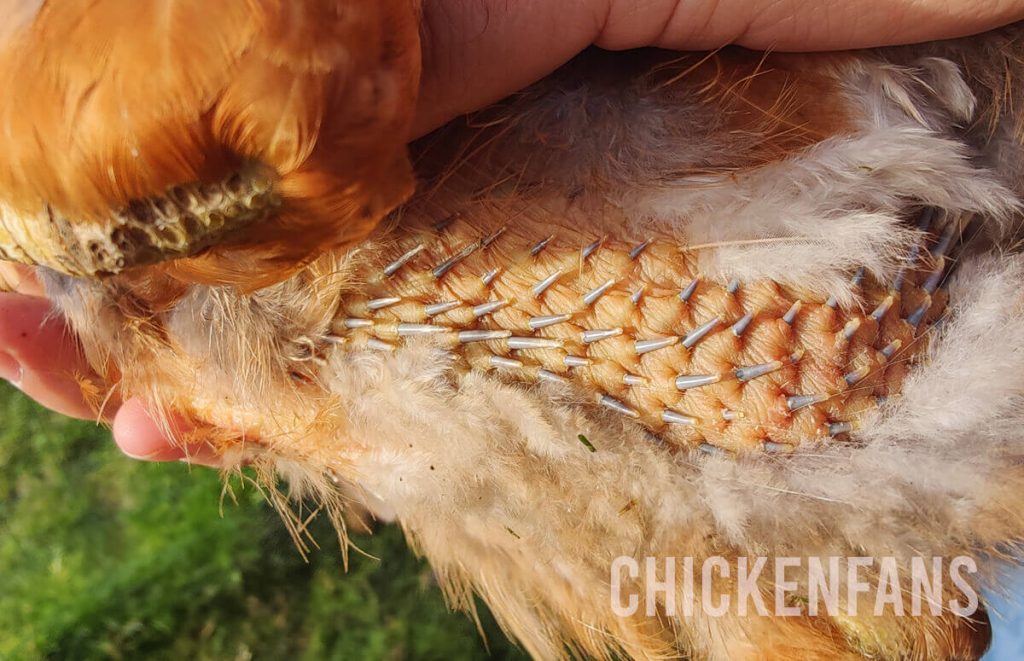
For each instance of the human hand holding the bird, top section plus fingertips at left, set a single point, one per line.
(476, 53)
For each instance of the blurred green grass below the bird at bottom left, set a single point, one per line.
(102, 557)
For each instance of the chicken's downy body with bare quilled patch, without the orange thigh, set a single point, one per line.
(317, 380)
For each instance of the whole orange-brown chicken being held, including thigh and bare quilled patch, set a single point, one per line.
(658, 306)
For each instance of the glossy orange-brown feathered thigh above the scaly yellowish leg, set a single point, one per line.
(111, 102)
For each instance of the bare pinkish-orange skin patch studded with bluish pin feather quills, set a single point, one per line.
(540, 267)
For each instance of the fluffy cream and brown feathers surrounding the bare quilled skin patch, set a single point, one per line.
(488, 476)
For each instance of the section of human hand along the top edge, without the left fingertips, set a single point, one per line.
(479, 52)
